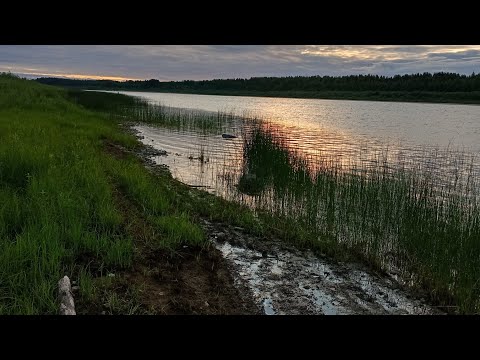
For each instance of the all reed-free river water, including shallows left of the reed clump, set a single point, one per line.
(441, 139)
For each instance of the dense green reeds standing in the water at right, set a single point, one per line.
(413, 216)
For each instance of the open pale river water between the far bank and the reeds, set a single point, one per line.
(414, 124)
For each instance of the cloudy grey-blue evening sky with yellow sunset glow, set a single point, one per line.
(205, 62)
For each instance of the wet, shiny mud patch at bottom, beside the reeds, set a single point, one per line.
(275, 278)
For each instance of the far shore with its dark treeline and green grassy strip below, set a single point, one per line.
(438, 87)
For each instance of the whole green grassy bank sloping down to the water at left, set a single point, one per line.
(60, 212)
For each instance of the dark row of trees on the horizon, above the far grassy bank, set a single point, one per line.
(444, 82)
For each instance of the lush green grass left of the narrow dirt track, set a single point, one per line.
(56, 203)
